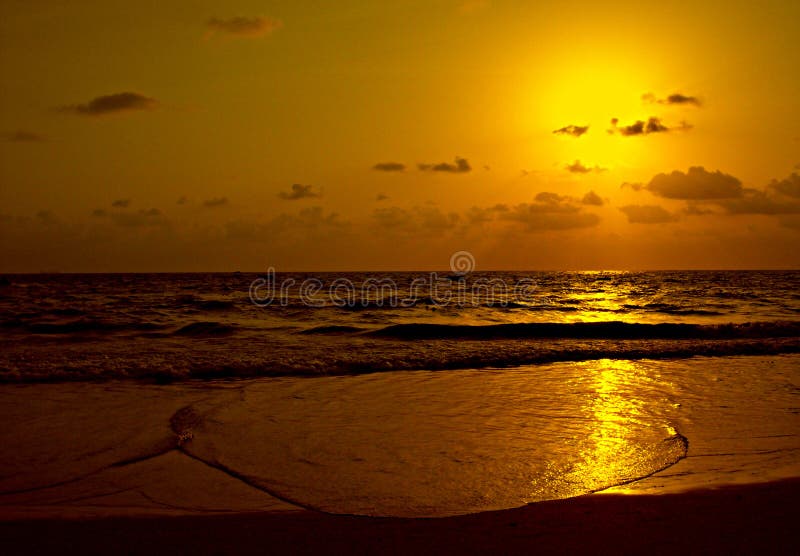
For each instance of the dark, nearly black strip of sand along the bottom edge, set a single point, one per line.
(759, 518)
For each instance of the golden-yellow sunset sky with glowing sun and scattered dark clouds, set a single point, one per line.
(195, 135)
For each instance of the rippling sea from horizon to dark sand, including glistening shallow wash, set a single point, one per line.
(407, 394)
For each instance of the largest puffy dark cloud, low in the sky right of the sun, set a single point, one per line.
(696, 184)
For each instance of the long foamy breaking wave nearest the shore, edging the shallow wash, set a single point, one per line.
(242, 360)
